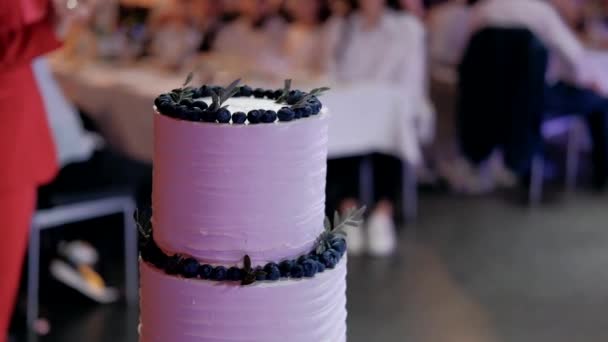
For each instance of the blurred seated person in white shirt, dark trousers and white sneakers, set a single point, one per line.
(377, 44)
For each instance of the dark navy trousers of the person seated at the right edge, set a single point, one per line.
(563, 99)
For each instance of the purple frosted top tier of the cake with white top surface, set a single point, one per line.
(221, 191)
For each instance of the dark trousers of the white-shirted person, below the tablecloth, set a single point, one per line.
(343, 179)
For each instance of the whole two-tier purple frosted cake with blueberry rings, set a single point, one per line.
(239, 249)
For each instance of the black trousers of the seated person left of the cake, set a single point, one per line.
(106, 170)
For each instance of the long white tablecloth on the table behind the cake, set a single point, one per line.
(364, 117)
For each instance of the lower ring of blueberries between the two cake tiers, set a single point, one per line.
(306, 266)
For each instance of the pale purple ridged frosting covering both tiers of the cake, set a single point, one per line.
(222, 191)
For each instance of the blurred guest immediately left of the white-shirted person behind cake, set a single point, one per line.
(305, 37)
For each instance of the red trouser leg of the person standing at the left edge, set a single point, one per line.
(16, 209)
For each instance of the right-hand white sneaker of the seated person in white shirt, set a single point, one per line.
(382, 235)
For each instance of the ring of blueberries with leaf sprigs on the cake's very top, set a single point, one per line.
(193, 108)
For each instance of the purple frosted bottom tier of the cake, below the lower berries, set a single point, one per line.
(194, 310)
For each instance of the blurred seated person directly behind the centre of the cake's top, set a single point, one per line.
(258, 31)
